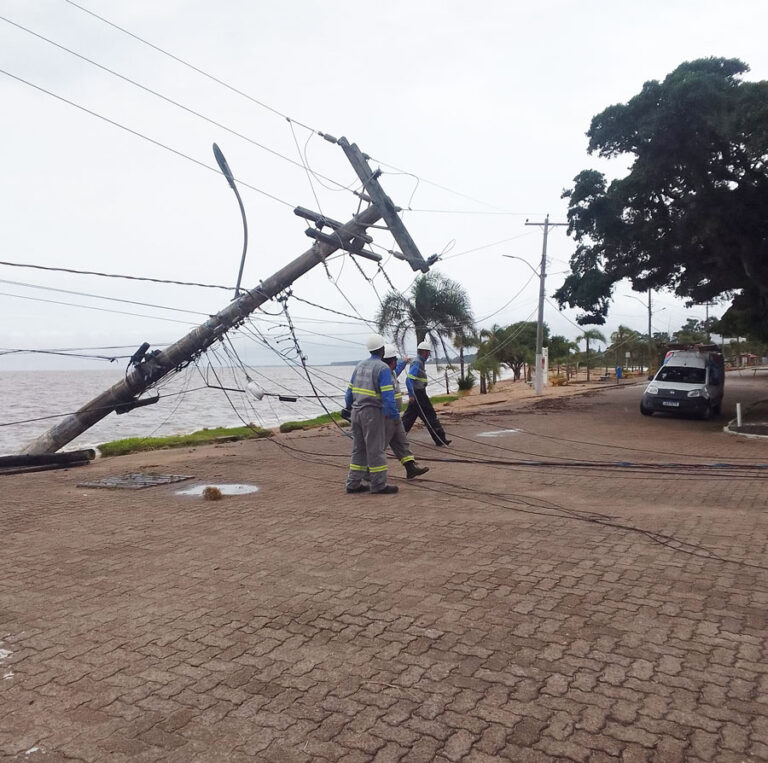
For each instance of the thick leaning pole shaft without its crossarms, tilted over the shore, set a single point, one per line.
(148, 369)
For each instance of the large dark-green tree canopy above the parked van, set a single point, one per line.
(691, 215)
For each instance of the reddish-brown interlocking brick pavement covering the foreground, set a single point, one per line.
(492, 612)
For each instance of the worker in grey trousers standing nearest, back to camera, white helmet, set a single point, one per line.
(371, 398)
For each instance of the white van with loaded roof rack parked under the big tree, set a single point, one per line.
(689, 382)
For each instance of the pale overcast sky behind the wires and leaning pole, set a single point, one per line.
(490, 100)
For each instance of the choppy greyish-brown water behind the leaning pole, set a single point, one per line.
(185, 405)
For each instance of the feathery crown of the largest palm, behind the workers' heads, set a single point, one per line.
(436, 307)
